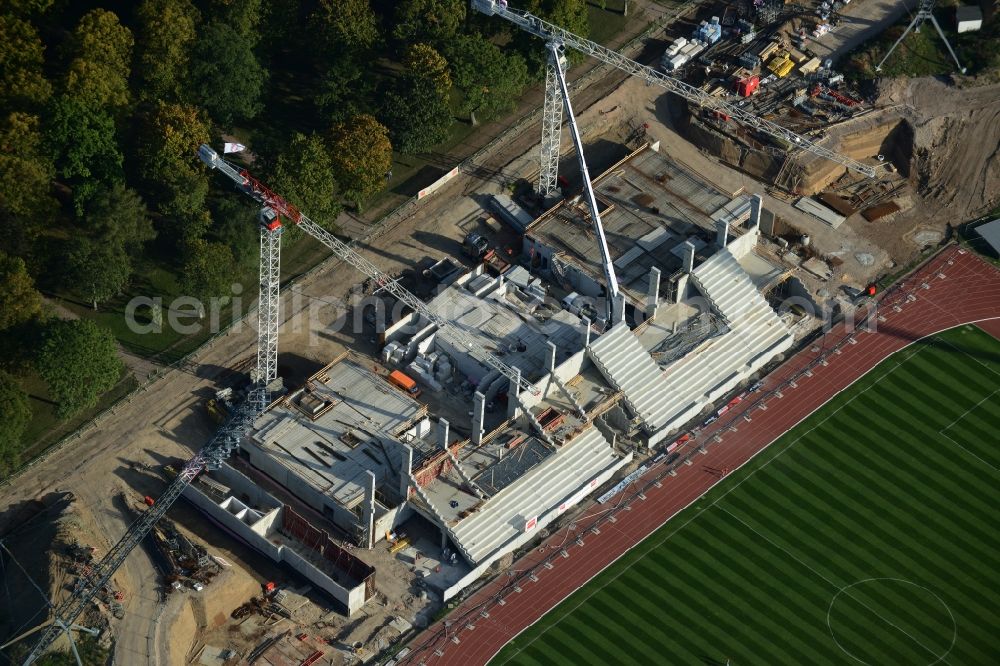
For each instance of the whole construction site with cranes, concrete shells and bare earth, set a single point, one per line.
(592, 309)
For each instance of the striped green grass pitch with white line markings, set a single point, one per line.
(868, 534)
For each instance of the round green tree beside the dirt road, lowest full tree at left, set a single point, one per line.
(79, 362)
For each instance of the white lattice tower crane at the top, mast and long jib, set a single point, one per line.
(551, 108)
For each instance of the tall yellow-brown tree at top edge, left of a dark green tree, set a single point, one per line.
(166, 34)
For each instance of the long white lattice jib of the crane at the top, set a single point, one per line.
(549, 32)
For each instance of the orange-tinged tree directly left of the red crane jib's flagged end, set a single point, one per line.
(167, 156)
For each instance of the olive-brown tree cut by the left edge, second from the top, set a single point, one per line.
(26, 172)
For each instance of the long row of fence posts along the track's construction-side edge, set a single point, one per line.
(665, 466)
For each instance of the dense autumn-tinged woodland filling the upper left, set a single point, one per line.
(102, 107)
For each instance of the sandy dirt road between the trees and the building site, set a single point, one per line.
(167, 420)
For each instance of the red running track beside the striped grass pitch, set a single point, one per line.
(962, 289)
